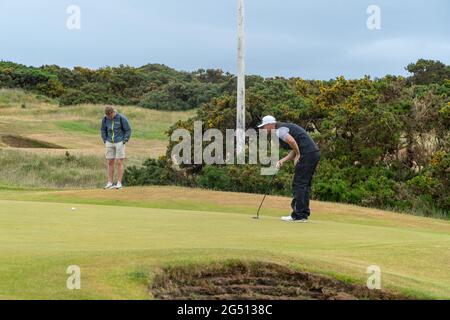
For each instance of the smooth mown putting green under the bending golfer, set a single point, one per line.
(121, 239)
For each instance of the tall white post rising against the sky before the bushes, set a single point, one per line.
(240, 115)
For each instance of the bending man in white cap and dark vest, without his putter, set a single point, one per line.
(305, 154)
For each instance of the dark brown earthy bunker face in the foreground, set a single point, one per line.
(256, 280)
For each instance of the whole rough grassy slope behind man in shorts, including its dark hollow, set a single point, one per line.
(32, 161)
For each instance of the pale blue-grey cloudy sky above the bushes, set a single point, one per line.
(318, 39)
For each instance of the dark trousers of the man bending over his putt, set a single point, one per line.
(304, 172)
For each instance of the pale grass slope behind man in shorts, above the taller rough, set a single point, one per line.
(44, 120)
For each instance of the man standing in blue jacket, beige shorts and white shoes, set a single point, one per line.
(116, 132)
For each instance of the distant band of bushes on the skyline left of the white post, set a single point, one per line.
(150, 86)
